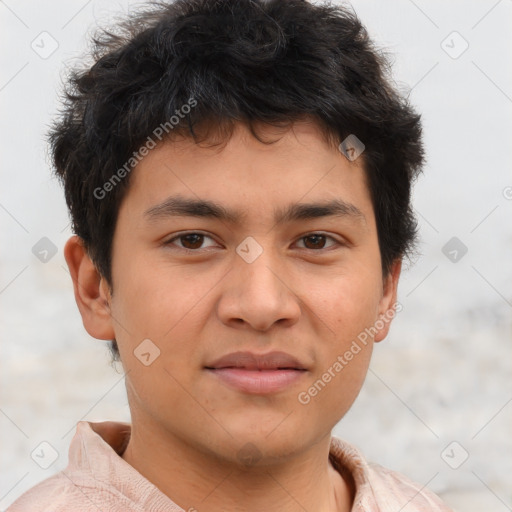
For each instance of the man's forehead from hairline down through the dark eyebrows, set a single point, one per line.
(181, 177)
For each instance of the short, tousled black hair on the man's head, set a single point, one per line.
(230, 61)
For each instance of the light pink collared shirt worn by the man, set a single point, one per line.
(98, 479)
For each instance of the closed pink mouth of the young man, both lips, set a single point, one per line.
(258, 373)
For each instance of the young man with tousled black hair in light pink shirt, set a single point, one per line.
(238, 175)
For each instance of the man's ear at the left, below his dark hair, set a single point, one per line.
(91, 290)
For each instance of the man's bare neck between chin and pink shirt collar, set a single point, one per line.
(198, 481)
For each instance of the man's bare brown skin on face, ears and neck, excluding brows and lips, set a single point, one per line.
(307, 300)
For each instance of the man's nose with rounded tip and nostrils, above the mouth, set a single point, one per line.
(259, 295)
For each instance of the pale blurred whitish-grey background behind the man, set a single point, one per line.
(436, 404)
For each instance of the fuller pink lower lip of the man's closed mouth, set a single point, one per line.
(258, 382)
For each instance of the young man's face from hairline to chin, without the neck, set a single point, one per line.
(265, 279)
